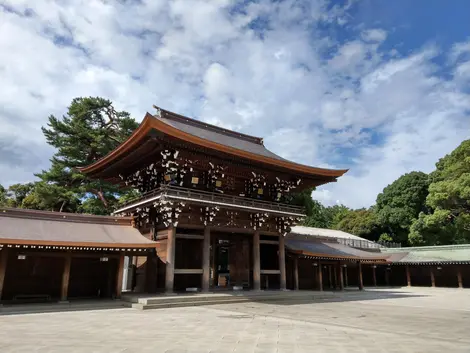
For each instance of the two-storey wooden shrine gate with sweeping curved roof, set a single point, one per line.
(216, 202)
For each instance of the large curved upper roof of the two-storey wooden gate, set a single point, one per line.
(208, 136)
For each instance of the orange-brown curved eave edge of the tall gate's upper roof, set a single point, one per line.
(150, 122)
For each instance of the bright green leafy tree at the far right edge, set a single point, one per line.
(449, 199)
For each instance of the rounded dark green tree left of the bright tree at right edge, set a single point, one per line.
(400, 204)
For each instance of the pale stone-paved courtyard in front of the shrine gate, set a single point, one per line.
(408, 320)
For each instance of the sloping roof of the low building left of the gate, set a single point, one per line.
(27, 227)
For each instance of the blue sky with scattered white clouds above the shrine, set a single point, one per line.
(376, 86)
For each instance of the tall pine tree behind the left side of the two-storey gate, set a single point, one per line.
(90, 130)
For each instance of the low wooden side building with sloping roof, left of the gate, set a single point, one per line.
(47, 256)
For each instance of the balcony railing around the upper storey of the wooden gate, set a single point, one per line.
(210, 198)
